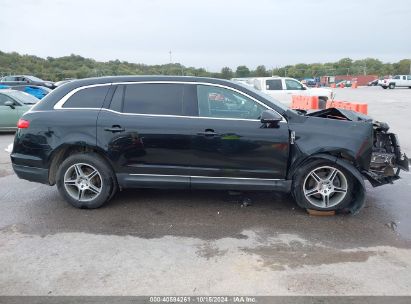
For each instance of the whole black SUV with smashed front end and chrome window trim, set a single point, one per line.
(92, 137)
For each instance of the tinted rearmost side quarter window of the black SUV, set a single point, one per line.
(88, 98)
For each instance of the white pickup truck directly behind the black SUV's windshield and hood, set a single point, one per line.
(283, 88)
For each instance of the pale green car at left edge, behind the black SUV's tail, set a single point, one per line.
(13, 104)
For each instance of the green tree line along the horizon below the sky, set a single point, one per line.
(75, 66)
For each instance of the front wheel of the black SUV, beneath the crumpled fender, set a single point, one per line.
(311, 190)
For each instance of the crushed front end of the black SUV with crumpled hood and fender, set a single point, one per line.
(362, 146)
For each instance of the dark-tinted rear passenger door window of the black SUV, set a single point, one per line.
(154, 98)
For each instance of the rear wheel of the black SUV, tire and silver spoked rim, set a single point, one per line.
(86, 181)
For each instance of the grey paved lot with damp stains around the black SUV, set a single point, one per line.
(152, 242)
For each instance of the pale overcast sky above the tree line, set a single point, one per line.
(209, 33)
